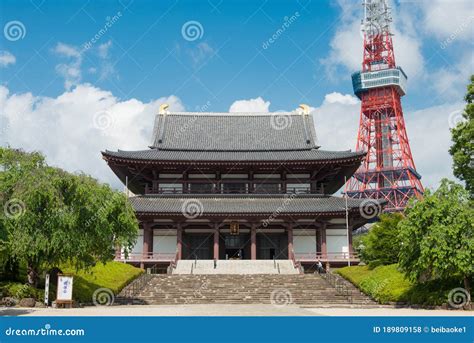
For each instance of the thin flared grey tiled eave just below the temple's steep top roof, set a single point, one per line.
(276, 156)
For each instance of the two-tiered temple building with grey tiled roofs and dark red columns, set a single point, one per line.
(239, 186)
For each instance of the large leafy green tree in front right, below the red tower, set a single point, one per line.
(437, 236)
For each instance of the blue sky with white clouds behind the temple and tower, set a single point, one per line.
(144, 56)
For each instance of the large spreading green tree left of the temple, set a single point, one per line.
(52, 217)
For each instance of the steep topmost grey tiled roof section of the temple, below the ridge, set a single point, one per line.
(234, 132)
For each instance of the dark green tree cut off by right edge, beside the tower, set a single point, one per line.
(462, 149)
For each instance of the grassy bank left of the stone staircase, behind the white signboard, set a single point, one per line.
(112, 275)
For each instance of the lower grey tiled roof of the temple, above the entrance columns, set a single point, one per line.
(245, 204)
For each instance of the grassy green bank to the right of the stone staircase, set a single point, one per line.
(387, 284)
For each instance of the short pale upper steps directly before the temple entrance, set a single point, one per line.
(231, 267)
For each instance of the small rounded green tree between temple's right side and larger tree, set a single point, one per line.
(381, 245)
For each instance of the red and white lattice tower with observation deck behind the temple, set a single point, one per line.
(388, 171)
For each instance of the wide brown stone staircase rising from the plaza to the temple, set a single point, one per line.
(276, 289)
